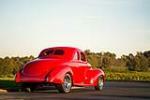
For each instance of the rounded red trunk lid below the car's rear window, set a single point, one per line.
(40, 67)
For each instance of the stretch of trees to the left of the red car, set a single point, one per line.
(10, 65)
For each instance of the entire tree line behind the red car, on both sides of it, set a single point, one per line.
(105, 60)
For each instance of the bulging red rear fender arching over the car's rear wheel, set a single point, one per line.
(57, 75)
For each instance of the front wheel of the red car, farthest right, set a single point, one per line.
(100, 83)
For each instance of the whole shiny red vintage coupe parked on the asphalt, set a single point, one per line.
(62, 67)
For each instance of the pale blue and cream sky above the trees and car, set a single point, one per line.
(117, 26)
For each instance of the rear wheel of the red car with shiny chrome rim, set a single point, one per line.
(65, 87)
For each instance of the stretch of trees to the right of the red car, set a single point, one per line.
(108, 61)
